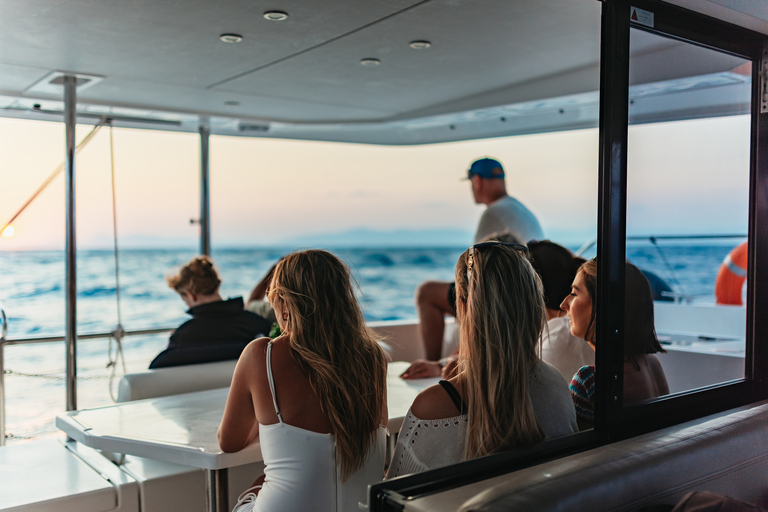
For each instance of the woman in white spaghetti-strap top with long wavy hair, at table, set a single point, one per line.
(315, 396)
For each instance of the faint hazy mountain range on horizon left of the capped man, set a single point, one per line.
(363, 237)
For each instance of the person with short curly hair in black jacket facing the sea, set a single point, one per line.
(219, 329)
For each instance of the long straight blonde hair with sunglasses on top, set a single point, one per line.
(501, 313)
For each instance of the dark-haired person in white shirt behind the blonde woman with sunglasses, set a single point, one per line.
(557, 268)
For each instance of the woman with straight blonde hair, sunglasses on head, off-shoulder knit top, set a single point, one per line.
(500, 326)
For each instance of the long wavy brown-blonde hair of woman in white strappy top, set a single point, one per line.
(333, 346)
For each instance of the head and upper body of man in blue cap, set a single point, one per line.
(504, 212)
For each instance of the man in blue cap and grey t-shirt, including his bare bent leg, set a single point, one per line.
(505, 216)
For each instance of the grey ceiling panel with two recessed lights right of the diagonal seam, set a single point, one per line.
(478, 45)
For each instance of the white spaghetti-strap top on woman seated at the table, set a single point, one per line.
(301, 470)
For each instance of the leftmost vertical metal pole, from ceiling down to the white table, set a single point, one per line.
(70, 325)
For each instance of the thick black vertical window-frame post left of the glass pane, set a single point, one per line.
(611, 215)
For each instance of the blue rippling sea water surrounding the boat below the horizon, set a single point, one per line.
(32, 293)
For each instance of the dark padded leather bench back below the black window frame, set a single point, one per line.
(727, 454)
